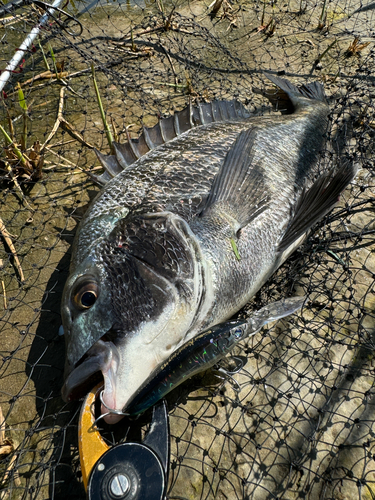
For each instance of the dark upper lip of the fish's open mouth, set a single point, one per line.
(97, 361)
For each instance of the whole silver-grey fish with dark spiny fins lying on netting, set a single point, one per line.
(193, 217)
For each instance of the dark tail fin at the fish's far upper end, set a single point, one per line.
(288, 96)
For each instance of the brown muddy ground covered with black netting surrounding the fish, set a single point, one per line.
(299, 421)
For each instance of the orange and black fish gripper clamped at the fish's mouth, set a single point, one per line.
(126, 471)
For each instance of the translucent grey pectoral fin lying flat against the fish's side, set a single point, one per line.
(238, 189)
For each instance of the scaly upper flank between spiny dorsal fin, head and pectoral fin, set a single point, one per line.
(175, 176)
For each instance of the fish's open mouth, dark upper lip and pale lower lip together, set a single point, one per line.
(99, 363)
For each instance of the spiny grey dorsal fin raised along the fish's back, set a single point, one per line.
(164, 131)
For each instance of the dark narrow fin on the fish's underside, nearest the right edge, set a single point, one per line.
(316, 202)
